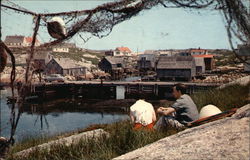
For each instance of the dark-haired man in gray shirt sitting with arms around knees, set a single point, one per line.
(182, 112)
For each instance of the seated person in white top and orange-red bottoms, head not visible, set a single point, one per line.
(142, 114)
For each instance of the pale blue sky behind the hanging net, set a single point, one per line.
(154, 29)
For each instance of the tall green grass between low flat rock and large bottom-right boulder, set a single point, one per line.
(122, 139)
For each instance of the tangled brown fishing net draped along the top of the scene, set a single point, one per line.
(101, 20)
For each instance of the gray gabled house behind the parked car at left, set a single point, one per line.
(64, 66)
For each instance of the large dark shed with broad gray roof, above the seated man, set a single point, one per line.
(175, 68)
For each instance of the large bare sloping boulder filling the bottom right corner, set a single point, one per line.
(227, 138)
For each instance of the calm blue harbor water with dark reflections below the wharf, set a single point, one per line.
(48, 119)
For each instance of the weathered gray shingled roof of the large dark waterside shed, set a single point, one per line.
(175, 62)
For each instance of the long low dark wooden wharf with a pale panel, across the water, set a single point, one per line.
(112, 89)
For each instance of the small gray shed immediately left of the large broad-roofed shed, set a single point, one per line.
(146, 62)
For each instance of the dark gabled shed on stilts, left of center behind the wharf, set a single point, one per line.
(113, 65)
